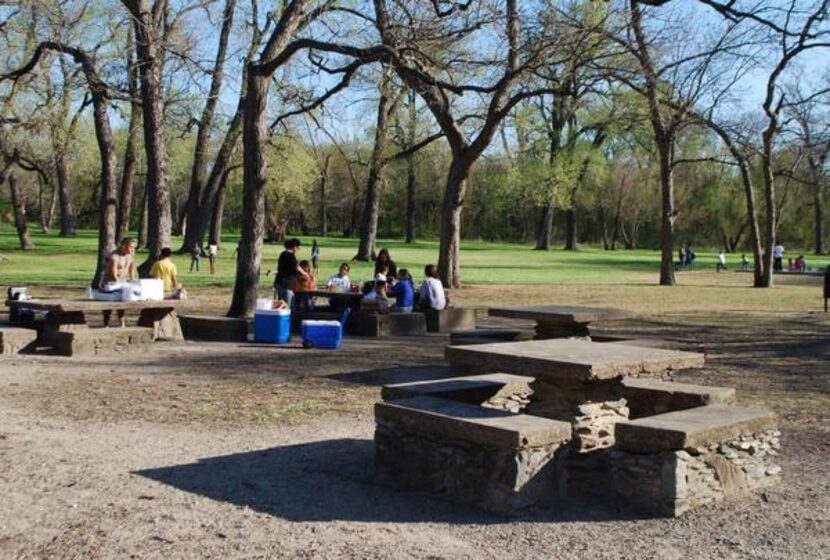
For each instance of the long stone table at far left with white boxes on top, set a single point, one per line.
(66, 314)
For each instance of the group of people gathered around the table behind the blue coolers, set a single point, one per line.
(391, 290)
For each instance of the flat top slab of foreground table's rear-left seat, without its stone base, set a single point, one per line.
(473, 389)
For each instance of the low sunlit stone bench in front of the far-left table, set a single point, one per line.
(95, 341)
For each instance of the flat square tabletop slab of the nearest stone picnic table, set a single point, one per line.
(570, 360)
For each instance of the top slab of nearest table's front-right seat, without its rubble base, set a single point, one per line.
(690, 428)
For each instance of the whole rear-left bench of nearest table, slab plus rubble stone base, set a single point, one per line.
(501, 391)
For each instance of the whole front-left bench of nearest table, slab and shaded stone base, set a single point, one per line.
(498, 461)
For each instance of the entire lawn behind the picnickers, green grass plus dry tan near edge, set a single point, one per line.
(491, 272)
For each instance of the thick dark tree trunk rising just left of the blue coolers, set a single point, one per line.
(254, 138)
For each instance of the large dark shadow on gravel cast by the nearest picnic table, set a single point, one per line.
(334, 481)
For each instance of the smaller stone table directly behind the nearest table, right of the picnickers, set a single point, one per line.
(558, 321)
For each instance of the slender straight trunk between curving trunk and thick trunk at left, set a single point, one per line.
(130, 160)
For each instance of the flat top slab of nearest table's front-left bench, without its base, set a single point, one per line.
(464, 422)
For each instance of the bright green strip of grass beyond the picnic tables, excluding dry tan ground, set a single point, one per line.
(71, 262)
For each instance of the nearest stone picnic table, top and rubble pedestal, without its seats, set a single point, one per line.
(575, 380)
